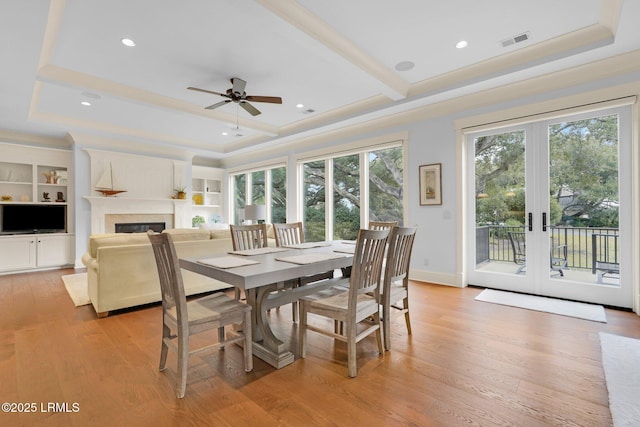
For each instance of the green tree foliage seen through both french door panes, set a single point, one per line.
(583, 173)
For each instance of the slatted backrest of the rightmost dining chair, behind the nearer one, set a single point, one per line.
(398, 256)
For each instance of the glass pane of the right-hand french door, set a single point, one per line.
(584, 200)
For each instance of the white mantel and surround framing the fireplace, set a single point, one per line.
(103, 206)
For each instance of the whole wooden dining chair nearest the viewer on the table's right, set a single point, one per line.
(355, 306)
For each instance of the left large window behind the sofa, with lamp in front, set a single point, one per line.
(262, 187)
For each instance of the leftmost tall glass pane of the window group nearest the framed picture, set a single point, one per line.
(314, 201)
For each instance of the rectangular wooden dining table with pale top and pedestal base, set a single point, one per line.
(265, 275)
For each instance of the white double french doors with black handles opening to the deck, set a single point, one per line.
(549, 206)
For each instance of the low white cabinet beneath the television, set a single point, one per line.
(26, 252)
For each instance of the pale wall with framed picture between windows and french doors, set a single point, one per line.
(432, 139)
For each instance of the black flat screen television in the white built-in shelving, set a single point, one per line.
(33, 218)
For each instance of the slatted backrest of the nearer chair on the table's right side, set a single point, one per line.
(366, 270)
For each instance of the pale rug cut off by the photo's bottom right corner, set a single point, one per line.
(620, 356)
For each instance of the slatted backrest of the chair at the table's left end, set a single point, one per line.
(170, 275)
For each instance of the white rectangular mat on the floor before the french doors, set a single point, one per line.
(548, 305)
